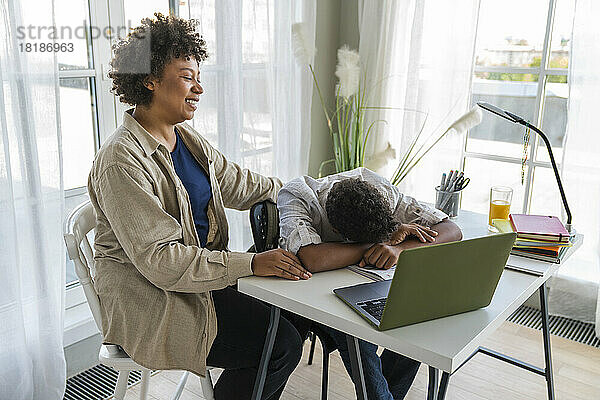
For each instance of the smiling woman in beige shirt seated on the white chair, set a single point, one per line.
(159, 190)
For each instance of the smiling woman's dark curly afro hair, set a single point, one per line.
(146, 51)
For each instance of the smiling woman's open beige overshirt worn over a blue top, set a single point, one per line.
(152, 276)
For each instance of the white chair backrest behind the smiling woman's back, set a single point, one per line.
(79, 223)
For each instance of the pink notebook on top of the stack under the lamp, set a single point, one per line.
(539, 227)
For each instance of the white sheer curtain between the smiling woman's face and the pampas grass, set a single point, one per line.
(256, 103)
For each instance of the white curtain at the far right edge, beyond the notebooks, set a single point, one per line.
(574, 291)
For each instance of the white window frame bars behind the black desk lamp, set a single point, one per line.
(543, 72)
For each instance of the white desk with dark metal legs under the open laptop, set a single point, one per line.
(443, 344)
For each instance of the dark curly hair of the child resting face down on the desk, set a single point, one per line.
(358, 211)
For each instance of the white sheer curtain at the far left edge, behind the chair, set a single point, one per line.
(32, 280)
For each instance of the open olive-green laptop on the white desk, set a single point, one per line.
(432, 282)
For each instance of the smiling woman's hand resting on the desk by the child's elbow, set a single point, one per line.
(279, 262)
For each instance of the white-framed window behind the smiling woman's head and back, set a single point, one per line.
(89, 112)
